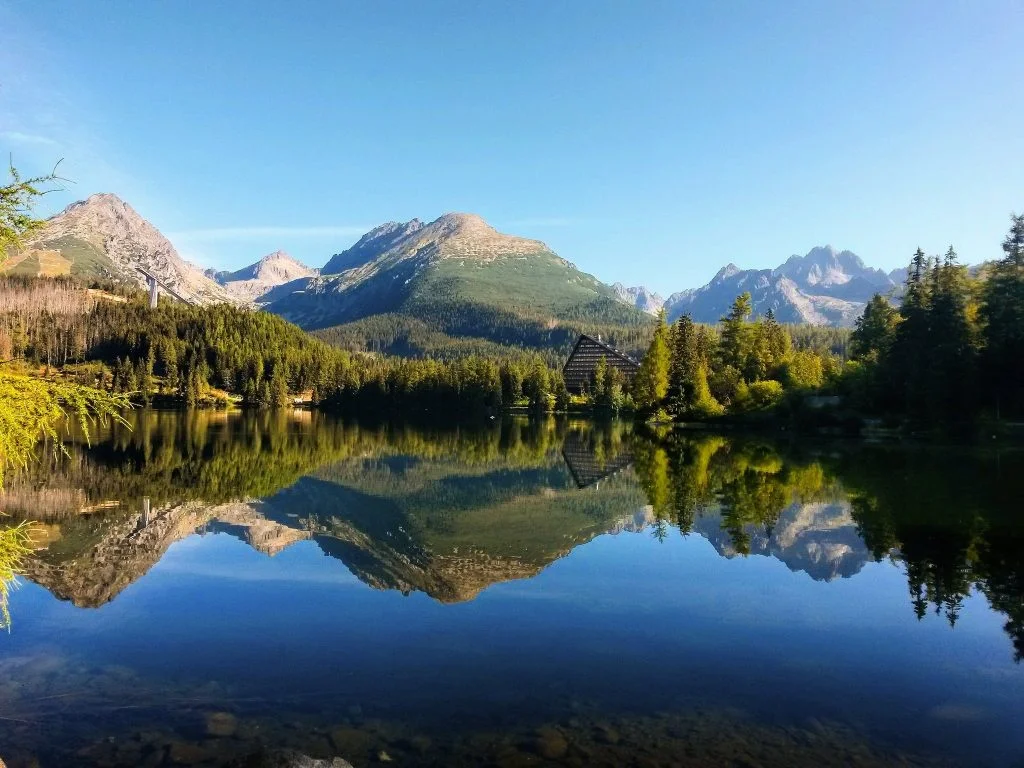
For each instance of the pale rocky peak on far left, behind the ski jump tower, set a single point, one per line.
(104, 237)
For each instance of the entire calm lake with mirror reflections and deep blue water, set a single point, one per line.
(520, 593)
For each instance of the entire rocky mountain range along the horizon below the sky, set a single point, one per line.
(455, 280)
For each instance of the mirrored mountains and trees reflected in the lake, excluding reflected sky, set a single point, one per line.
(453, 513)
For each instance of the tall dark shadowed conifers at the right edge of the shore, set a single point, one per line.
(954, 350)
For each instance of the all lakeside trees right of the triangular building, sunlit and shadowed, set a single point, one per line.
(951, 356)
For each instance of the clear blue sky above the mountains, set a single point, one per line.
(650, 143)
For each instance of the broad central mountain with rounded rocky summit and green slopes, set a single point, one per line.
(462, 278)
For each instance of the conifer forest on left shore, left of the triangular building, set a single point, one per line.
(193, 353)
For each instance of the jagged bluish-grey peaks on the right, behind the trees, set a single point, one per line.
(825, 288)
